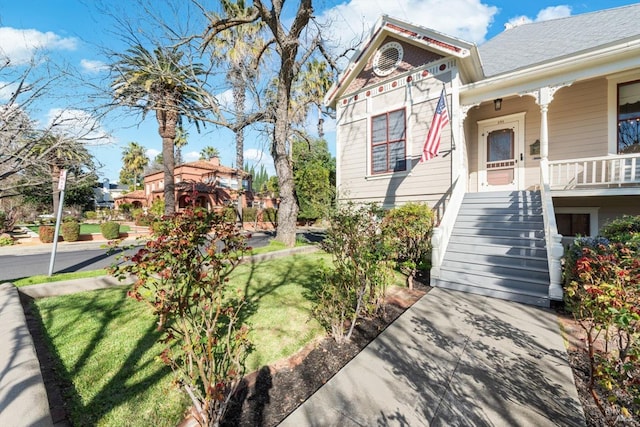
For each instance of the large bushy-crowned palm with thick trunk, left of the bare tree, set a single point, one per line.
(159, 81)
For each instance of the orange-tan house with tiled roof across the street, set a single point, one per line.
(213, 185)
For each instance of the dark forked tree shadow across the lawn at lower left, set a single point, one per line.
(119, 389)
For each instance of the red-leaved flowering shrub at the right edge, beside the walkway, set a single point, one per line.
(603, 292)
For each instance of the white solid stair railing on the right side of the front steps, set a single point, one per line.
(555, 251)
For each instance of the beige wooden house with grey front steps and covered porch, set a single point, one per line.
(542, 141)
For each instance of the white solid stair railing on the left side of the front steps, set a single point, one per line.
(442, 233)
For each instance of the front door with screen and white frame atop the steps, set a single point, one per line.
(501, 153)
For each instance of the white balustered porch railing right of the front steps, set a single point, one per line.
(605, 171)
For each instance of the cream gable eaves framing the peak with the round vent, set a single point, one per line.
(428, 39)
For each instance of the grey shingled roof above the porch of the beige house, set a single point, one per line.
(539, 42)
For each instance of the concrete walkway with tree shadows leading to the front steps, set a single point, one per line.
(454, 359)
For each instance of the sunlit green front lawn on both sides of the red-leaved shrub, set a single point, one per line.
(106, 342)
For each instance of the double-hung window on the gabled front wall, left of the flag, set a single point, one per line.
(388, 142)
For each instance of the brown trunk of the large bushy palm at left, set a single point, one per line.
(167, 121)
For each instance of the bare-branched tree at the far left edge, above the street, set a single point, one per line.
(28, 150)
